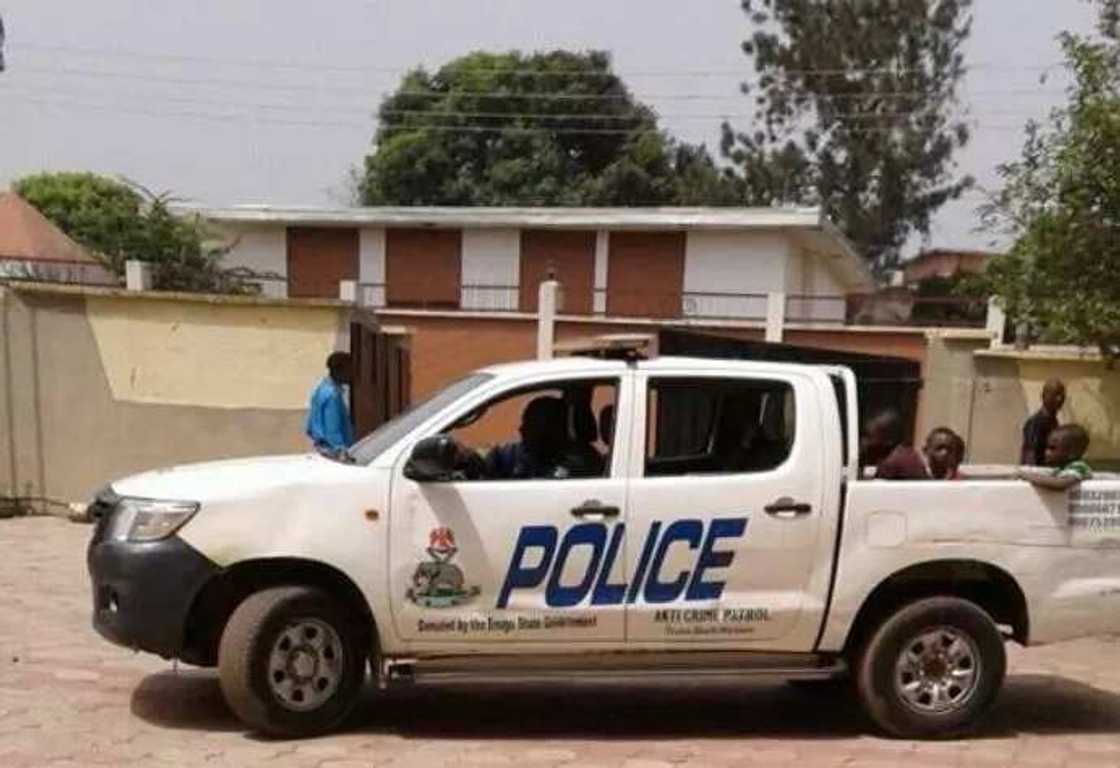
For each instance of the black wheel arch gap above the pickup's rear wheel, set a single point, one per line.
(988, 586)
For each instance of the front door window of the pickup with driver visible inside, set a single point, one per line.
(562, 430)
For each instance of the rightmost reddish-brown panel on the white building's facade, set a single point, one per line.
(646, 274)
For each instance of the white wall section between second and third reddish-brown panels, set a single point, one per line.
(491, 258)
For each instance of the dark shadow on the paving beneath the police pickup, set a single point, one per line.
(1037, 705)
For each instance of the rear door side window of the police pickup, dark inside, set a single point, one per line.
(718, 426)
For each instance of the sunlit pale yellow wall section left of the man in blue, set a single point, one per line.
(181, 353)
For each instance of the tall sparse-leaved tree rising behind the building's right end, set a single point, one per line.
(855, 104)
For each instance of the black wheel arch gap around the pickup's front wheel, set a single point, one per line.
(212, 607)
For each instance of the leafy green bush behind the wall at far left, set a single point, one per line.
(120, 222)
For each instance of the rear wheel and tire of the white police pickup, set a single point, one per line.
(931, 670)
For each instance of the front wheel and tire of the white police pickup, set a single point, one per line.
(291, 662)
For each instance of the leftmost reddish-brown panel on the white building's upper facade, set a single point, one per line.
(319, 259)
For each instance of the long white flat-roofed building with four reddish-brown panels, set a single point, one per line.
(717, 264)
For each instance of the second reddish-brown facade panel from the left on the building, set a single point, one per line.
(424, 268)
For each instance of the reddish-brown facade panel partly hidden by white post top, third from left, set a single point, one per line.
(572, 255)
